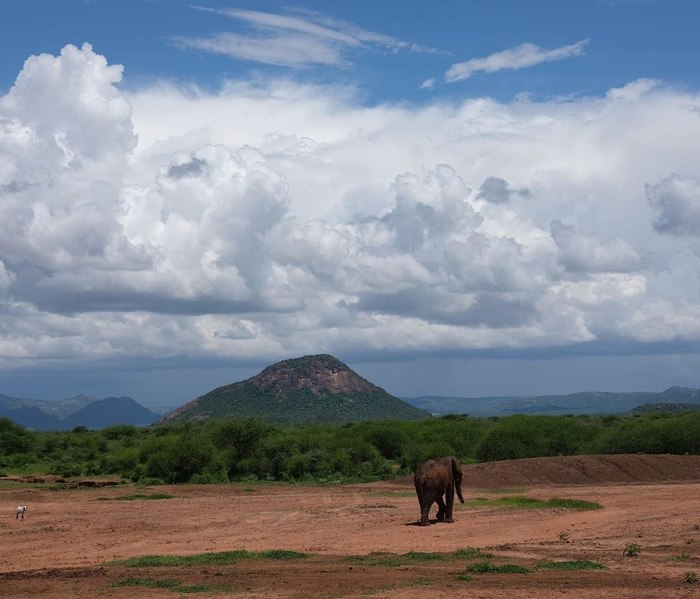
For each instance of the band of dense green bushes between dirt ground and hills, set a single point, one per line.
(249, 449)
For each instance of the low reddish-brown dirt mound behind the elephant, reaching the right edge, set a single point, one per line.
(578, 470)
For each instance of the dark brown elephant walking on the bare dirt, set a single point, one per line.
(436, 478)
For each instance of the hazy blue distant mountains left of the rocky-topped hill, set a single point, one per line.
(82, 410)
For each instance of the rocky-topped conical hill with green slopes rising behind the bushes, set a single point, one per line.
(311, 389)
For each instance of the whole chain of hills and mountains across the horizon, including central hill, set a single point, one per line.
(321, 389)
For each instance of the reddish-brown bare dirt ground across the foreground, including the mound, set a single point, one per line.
(64, 546)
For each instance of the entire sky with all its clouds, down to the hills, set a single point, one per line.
(455, 198)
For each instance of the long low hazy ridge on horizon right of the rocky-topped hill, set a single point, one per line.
(593, 402)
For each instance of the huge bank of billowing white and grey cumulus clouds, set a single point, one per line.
(280, 219)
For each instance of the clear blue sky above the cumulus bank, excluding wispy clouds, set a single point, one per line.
(627, 40)
